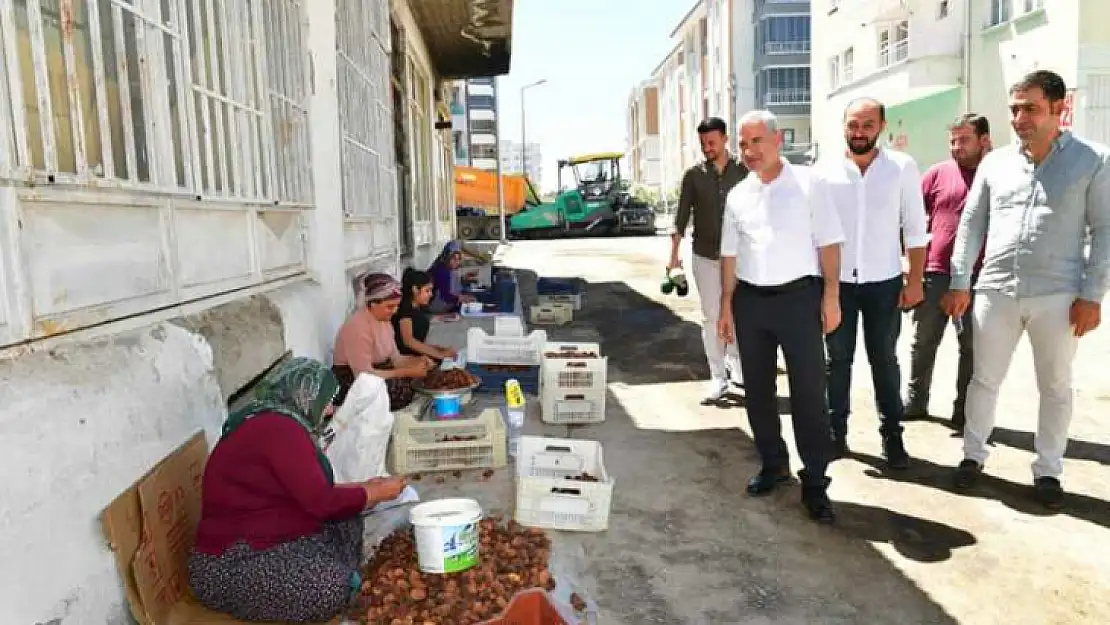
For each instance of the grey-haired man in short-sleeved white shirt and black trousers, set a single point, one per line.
(780, 239)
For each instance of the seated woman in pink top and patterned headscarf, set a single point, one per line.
(367, 345)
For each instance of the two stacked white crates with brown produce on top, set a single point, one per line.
(573, 382)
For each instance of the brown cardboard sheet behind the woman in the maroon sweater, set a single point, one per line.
(152, 529)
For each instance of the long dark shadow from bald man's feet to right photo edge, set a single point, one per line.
(1012, 495)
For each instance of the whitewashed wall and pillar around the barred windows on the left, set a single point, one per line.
(86, 414)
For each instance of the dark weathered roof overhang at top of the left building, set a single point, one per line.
(467, 38)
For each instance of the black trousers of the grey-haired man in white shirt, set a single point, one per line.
(786, 317)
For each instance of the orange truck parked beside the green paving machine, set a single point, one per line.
(477, 208)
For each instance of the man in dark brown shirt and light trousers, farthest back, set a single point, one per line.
(705, 187)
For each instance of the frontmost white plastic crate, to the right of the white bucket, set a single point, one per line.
(549, 498)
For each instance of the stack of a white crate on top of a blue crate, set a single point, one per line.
(499, 359)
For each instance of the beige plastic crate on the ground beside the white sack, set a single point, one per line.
(420, 446)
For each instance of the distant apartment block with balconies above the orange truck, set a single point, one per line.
(475, 123)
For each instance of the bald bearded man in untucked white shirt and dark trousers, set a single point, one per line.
(877, 194)
